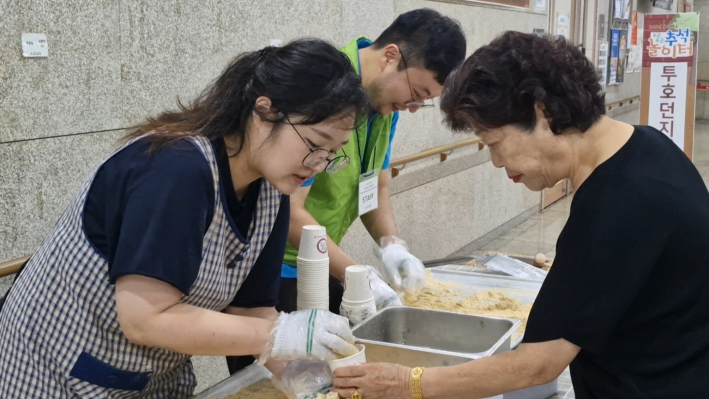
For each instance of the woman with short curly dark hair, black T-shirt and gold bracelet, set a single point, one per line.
(626, 304)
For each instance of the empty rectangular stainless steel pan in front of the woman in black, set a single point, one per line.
(430, 338)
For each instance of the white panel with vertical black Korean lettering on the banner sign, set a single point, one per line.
(668, 98)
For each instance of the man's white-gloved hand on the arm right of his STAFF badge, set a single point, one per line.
(403, 271)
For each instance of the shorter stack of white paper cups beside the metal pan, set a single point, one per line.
(358, 300)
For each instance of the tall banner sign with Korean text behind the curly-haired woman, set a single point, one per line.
(669, 76)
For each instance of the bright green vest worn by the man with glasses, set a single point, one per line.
(333, 198)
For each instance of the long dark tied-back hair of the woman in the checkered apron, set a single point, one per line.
(308, 77)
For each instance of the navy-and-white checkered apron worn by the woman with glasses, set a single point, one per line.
(62, 310)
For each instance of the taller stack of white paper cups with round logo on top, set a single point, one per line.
(313, 269)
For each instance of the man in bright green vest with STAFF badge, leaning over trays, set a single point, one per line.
(403, 69)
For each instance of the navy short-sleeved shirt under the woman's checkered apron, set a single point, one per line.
(147, 214)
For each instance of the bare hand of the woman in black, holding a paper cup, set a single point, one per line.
(373, 381)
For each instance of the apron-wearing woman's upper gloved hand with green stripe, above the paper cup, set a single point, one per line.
(309, 334)
